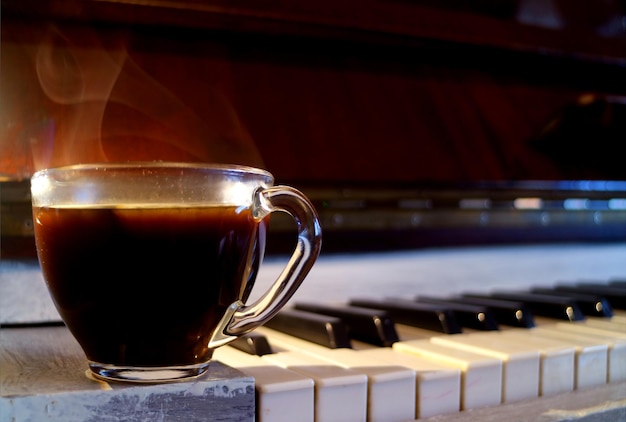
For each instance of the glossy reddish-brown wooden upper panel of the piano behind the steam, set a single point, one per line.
(382, 92)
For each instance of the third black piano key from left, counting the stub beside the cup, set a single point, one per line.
(369, 325)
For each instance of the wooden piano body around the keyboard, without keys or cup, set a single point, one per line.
(415, 128)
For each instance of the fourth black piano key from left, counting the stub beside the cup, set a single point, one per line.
(423, 315)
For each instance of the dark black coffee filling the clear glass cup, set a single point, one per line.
(146, 286)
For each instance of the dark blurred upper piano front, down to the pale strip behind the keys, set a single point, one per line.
(364, 105)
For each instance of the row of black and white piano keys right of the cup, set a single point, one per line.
(401, 359)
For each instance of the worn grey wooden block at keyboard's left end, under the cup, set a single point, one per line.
(43, 377)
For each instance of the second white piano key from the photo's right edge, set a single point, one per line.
(591, 356)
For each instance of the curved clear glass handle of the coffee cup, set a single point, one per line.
(239, 318)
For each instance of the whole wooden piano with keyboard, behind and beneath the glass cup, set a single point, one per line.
(450, 149)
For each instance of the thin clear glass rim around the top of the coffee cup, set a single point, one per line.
(132, 165)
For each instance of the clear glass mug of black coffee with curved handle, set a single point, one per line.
(150, 264)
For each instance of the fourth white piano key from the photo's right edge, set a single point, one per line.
(521, 366)
